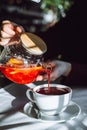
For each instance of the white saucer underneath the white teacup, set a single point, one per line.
(71, 112)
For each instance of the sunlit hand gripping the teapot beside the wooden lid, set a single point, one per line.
(10, 33)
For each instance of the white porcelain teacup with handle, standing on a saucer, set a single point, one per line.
(50, 104)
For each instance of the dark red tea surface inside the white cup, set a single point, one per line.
(53, 91)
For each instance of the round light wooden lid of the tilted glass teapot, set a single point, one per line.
(33, 43)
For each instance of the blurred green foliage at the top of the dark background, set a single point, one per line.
(59, 7)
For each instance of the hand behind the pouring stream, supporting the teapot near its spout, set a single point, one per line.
(59, 68)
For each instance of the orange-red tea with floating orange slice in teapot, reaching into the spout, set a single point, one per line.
(18, 72)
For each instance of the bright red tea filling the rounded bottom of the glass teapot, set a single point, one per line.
(21, 75)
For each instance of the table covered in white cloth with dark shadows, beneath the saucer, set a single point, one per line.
(12, 116)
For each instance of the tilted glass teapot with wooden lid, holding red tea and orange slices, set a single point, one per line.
(22, 62)
